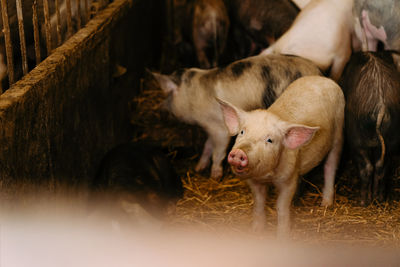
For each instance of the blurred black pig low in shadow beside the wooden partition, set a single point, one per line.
(137, 182)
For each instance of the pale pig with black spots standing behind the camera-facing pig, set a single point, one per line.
(251, 83)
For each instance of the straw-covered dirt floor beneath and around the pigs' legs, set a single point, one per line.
(227, 203)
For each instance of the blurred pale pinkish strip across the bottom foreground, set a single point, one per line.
(59, 237)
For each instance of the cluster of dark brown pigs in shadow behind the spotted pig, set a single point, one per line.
(209, 33)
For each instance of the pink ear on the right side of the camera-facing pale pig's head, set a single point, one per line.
(297, 135)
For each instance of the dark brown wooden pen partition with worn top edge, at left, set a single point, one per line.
(58, 121)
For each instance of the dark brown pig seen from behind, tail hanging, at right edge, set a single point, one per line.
(371, 85)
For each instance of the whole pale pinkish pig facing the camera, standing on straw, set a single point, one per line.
(302, 127)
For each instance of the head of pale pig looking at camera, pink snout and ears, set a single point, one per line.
(262, 138)
